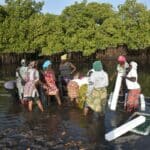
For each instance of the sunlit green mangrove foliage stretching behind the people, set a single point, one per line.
(84, 27)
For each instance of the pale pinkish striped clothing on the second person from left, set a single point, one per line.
(30, 90)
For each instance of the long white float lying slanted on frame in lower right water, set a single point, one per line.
(124, 128)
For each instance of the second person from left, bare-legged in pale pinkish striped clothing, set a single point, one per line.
(30, 90)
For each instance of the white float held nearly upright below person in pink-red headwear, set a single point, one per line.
(116, 91)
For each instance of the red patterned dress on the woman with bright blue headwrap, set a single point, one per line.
(50, 85)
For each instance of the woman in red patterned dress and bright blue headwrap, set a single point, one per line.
(50, 85)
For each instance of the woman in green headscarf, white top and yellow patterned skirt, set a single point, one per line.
(97, 96)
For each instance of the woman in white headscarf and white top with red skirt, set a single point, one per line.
(133, 87)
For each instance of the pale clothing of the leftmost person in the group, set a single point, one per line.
(20, 74)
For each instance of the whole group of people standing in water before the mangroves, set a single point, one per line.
(96, 81)
